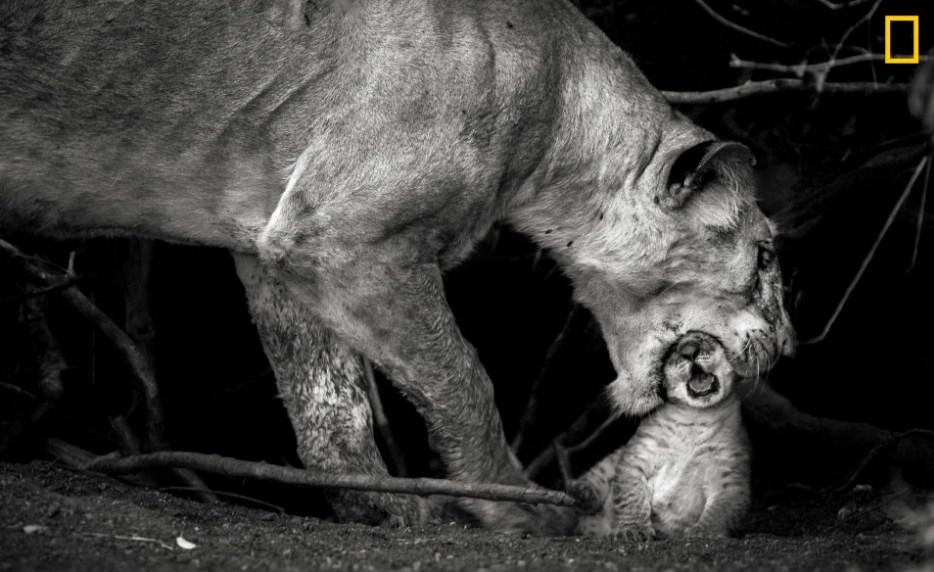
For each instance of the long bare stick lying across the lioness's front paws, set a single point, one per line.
(263, 471)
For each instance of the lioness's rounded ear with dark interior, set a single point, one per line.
(698, 166)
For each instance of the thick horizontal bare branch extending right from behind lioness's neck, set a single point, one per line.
(753, 88)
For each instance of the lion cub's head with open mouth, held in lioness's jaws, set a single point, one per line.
(697, 372)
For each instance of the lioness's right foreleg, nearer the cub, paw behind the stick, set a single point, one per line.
(393, 310)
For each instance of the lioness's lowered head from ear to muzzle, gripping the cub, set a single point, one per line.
(697, 255)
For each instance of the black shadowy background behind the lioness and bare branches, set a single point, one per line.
(831, 167)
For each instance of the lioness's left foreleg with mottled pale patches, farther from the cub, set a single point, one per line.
(323, 386)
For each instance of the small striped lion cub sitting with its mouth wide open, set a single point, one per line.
(686, 469)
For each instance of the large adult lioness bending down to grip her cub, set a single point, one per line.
(349, 152)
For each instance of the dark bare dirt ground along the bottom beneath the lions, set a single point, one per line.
(53, 518)
